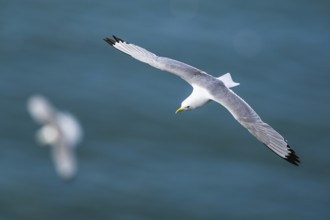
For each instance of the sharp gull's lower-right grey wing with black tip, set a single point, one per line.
(249, 119)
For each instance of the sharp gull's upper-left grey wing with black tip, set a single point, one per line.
(185, 71)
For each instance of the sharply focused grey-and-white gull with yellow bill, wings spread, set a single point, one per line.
(209, 88)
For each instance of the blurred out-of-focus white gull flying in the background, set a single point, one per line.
(60, 130)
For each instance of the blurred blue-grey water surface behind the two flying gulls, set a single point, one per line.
(138, 159)
